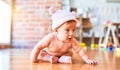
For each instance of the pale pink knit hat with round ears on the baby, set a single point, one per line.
(60, 16)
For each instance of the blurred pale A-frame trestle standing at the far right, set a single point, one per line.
(110, 36)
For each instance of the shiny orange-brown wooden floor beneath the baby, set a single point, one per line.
(18, 59)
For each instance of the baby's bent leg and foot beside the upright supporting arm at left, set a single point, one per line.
(44, 56)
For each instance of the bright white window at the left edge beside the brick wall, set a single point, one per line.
(5, 23)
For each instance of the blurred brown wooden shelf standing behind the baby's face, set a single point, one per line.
(85, 27)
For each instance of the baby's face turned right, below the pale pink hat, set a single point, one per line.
(66, 31)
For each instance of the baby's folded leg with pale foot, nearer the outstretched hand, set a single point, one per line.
(66, 58)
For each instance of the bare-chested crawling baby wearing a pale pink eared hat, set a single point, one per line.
(56, 46)
